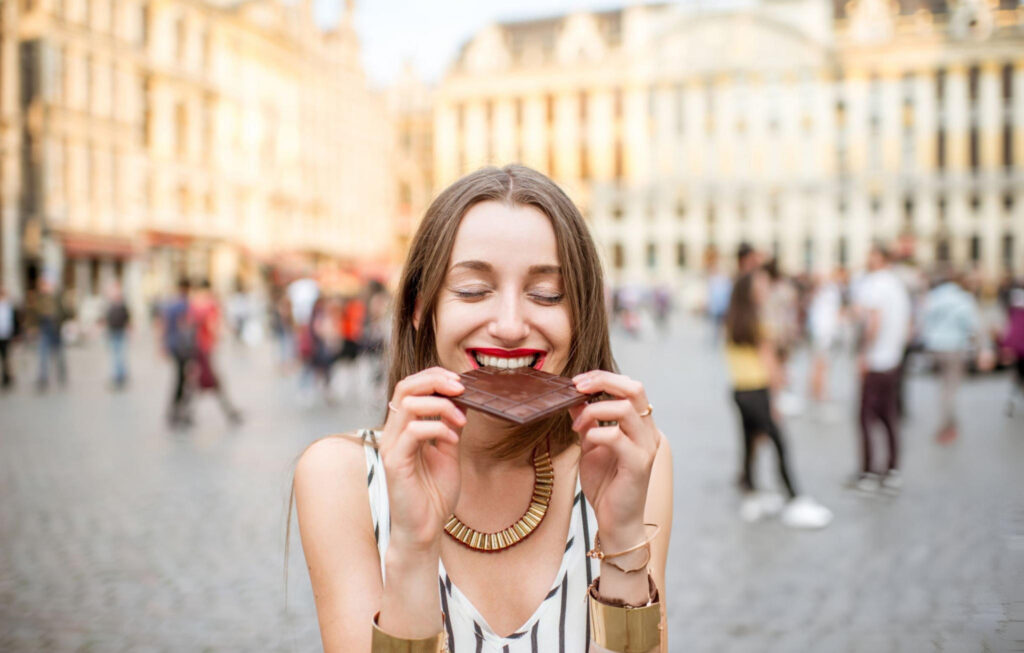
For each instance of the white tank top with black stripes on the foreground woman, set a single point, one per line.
(561, 625)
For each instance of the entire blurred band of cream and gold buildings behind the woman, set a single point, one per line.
(142, 141)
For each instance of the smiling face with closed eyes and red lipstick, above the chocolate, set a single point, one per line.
(502, 303)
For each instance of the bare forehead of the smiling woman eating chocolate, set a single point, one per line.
(506, 237)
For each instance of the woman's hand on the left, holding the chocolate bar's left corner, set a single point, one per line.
(421, 458)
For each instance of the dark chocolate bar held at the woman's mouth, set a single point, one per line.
(521, 396)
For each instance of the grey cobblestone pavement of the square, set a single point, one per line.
(120, 535)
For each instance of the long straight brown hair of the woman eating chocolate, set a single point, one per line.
(426, 268)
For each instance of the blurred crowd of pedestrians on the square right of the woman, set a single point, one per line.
(893, 317)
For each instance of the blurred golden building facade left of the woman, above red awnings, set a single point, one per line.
(190, 138)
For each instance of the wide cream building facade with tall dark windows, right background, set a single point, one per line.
(806, 129)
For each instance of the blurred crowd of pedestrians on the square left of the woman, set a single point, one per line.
(317, 329)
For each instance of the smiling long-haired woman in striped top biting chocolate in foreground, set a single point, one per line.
(502, 272)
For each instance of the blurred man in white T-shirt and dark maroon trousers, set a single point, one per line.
(884, 308)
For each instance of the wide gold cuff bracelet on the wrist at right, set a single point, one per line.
(624, 629)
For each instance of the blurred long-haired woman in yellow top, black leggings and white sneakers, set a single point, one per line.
(756, 373)
